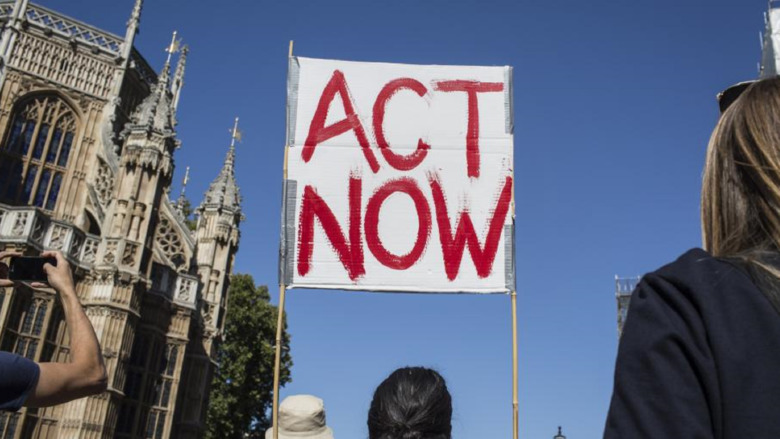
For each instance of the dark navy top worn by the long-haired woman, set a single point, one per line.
(699, 356)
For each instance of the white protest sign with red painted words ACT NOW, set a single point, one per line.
(400, 178)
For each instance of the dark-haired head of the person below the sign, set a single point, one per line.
(412, 403)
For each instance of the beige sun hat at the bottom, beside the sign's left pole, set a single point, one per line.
(301, 416)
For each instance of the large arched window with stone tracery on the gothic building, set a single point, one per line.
(34, 155)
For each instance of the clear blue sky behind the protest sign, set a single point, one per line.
(614, 103)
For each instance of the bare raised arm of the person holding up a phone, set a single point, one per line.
(85, 374)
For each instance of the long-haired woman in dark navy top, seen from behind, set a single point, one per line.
(700, 352)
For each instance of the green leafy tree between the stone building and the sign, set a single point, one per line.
(242, 388)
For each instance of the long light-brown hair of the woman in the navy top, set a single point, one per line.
(740, 202)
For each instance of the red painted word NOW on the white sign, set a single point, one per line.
(350, 249)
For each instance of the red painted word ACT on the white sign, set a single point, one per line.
(337, 84)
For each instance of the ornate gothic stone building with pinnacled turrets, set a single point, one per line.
(87, 137)
